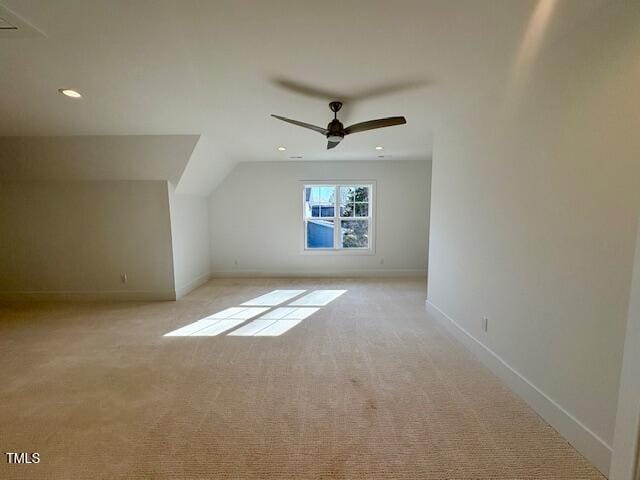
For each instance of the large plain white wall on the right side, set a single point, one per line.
(534, 209)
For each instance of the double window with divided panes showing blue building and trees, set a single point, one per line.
(338, 217)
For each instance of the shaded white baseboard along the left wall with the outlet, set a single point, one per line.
(88, 296)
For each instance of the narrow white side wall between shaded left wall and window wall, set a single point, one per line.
(191, 244)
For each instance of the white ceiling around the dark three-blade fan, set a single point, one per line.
(211, 68)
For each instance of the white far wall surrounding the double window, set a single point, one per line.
(256, 219)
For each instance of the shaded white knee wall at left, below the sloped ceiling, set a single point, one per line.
(73, 239)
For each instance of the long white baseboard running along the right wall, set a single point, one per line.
(596, 450)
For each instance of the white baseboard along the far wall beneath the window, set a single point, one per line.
(319, 273)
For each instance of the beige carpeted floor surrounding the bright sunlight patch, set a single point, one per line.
(368, 387)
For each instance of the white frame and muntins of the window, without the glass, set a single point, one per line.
(337, 240)
